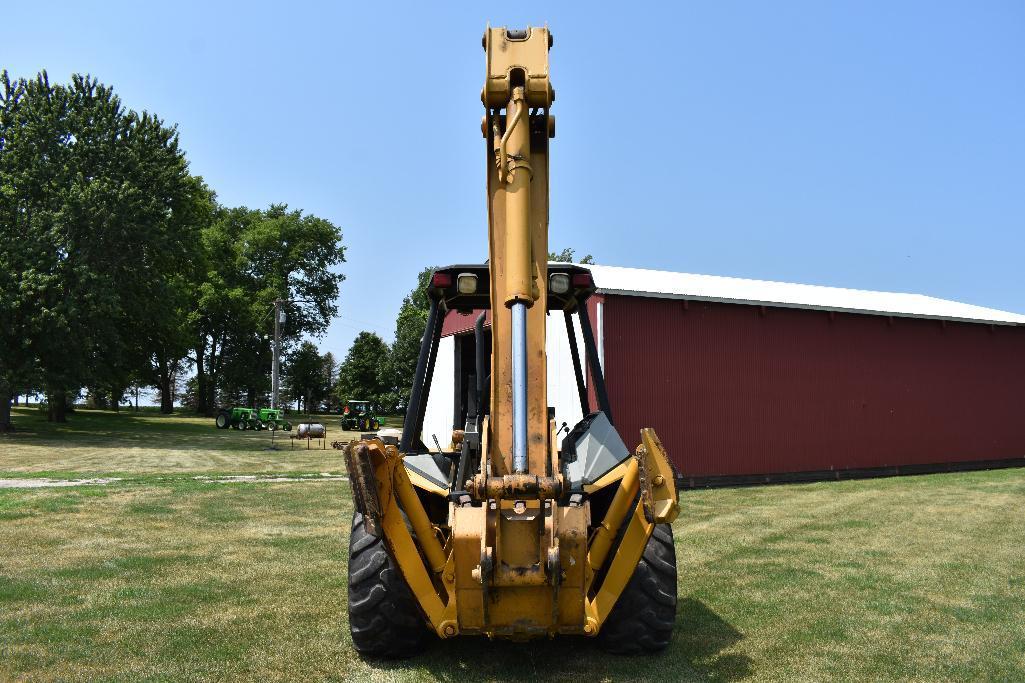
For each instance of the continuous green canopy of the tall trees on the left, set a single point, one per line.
(118, 268)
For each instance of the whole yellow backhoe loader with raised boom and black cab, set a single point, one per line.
(502, 533)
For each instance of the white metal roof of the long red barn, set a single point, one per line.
(665, 285)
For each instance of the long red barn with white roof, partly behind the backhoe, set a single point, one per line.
(751, 381)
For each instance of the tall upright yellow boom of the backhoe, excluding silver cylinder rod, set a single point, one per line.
(518, 246)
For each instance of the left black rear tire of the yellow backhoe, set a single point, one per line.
(384, 618)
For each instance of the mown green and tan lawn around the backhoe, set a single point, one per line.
(163, 577)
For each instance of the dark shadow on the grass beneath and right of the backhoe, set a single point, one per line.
(695, 654)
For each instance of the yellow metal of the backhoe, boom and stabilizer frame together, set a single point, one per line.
(523, 559)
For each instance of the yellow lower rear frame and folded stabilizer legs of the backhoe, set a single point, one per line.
(510, 602)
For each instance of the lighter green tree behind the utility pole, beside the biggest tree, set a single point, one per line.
(252, 258)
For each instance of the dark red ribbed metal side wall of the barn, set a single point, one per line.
(737, 390)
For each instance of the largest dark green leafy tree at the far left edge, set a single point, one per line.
(97, 215)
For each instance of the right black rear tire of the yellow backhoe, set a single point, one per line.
(642, 620)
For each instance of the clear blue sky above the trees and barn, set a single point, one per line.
(871, 145)
